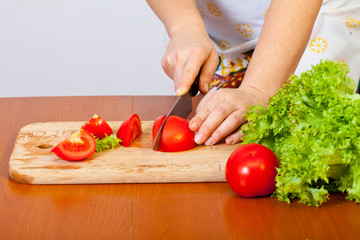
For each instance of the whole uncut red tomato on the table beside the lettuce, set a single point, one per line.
(251, 170)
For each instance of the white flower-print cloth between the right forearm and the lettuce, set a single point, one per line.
(335, 36)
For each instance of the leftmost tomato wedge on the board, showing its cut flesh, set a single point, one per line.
(77, 147)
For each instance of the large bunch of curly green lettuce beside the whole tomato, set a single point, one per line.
(313, 125)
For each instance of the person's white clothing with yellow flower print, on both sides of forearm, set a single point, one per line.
(234, 26)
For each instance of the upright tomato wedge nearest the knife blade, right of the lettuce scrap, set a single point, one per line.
(129, 130)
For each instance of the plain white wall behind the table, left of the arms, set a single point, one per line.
(81, 47)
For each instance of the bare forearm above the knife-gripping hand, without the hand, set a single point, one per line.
(177, 15)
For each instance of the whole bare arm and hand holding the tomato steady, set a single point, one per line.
(275, 58)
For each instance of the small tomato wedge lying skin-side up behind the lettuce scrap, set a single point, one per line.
(98, 127)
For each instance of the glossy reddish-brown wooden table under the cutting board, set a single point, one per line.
(146, 211)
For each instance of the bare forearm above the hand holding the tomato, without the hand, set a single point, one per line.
(283, 39)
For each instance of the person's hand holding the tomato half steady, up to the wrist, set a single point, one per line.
(221, 113)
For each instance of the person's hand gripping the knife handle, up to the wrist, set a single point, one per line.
(189, 50)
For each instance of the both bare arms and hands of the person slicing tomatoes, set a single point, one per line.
(278, 51)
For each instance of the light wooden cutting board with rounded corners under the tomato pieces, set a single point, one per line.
(32, 162)
